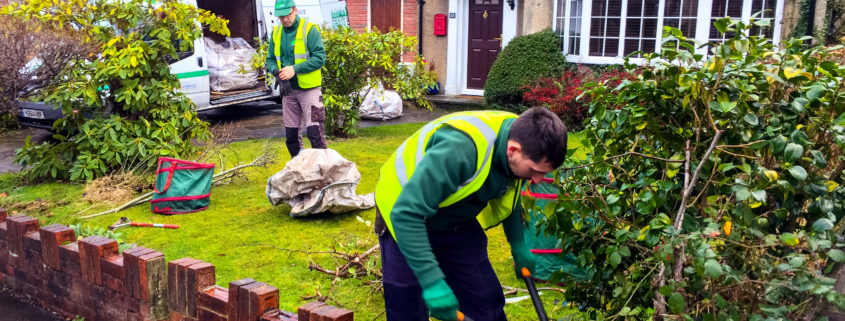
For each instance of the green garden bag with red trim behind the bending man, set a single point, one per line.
(545, 248)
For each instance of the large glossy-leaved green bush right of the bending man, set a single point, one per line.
(713, 191)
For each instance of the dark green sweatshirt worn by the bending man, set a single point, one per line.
(450, 159)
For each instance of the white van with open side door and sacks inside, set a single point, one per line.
(248, 19)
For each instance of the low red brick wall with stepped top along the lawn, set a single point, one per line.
(90, 278)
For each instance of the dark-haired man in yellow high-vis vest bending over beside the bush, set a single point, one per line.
(439, 191)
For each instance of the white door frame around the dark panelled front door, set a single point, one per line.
(458, 29)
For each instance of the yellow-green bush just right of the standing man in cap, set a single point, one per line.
(356, 61)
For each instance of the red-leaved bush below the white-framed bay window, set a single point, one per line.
(561, 95)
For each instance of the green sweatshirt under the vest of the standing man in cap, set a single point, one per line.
(314, 43)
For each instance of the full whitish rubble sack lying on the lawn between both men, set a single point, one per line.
(318, 180)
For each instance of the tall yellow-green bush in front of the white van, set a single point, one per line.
(136, 113)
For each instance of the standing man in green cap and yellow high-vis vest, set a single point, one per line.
(296, 54)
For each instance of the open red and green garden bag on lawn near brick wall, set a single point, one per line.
(181, 186)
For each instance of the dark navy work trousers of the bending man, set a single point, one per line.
(462, 255)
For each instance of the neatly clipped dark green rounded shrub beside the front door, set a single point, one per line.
(524, 60)
